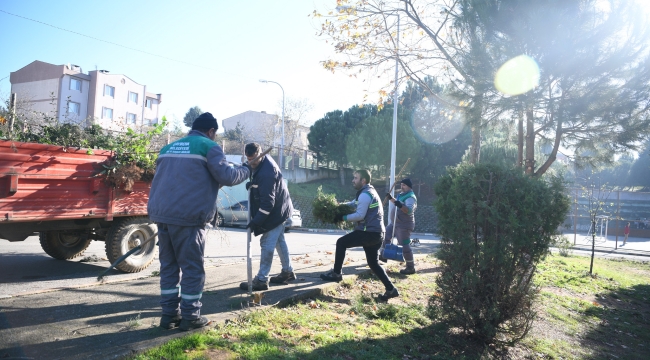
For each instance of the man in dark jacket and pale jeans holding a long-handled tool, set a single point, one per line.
(270, 208)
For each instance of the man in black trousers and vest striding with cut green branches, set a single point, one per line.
(368, 233)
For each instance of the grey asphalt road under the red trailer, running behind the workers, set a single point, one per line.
(25, 268)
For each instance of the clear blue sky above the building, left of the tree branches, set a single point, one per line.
(232, 43)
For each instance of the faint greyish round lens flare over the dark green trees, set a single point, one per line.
(433, 122)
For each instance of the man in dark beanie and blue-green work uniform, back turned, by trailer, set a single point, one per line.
(182, 200)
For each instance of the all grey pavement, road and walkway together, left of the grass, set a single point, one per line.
(88, 320)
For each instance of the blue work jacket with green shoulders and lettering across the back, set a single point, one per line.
(189, 173)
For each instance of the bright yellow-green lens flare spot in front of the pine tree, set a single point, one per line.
(517, 76)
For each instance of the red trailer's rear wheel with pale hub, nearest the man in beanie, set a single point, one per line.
(124, 235)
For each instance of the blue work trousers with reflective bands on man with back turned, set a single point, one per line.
(182, 275)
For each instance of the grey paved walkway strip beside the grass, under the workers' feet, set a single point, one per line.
(120, 318)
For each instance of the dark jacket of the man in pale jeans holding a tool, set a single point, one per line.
(270, 201)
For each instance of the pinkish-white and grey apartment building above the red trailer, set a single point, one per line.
(114, 101)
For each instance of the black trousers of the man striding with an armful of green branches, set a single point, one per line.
(371, 242)
